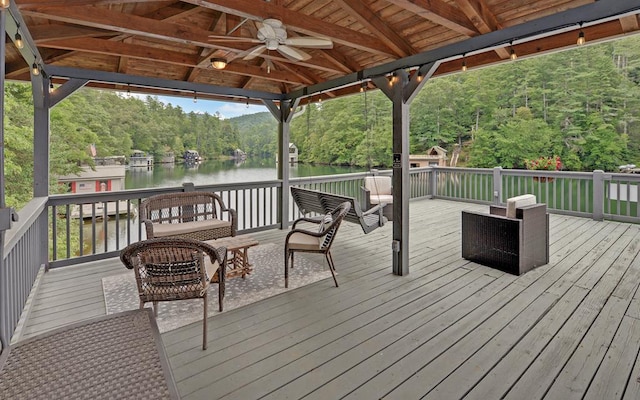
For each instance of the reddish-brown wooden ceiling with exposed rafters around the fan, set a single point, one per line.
(170, 41)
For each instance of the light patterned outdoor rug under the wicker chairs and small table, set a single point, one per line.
(266, 280)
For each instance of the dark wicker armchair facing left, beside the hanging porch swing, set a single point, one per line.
(318, 241)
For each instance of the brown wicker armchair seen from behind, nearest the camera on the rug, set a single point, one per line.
(169, 269)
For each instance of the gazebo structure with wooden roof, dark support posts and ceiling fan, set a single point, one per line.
(279, 53)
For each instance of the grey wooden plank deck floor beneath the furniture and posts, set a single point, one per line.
(450, 329)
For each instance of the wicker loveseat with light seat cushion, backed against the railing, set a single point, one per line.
(191, 215)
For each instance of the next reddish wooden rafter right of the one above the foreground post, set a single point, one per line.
(439, 12)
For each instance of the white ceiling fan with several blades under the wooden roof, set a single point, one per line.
(272, 35)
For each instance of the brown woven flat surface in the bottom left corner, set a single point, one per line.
(119, 356)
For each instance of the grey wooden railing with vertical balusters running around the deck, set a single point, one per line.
(90, 233)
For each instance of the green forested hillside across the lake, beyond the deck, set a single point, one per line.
(581, 105)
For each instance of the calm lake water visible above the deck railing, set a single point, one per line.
(213, 171)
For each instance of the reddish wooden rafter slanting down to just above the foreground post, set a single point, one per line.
(377, 26)
